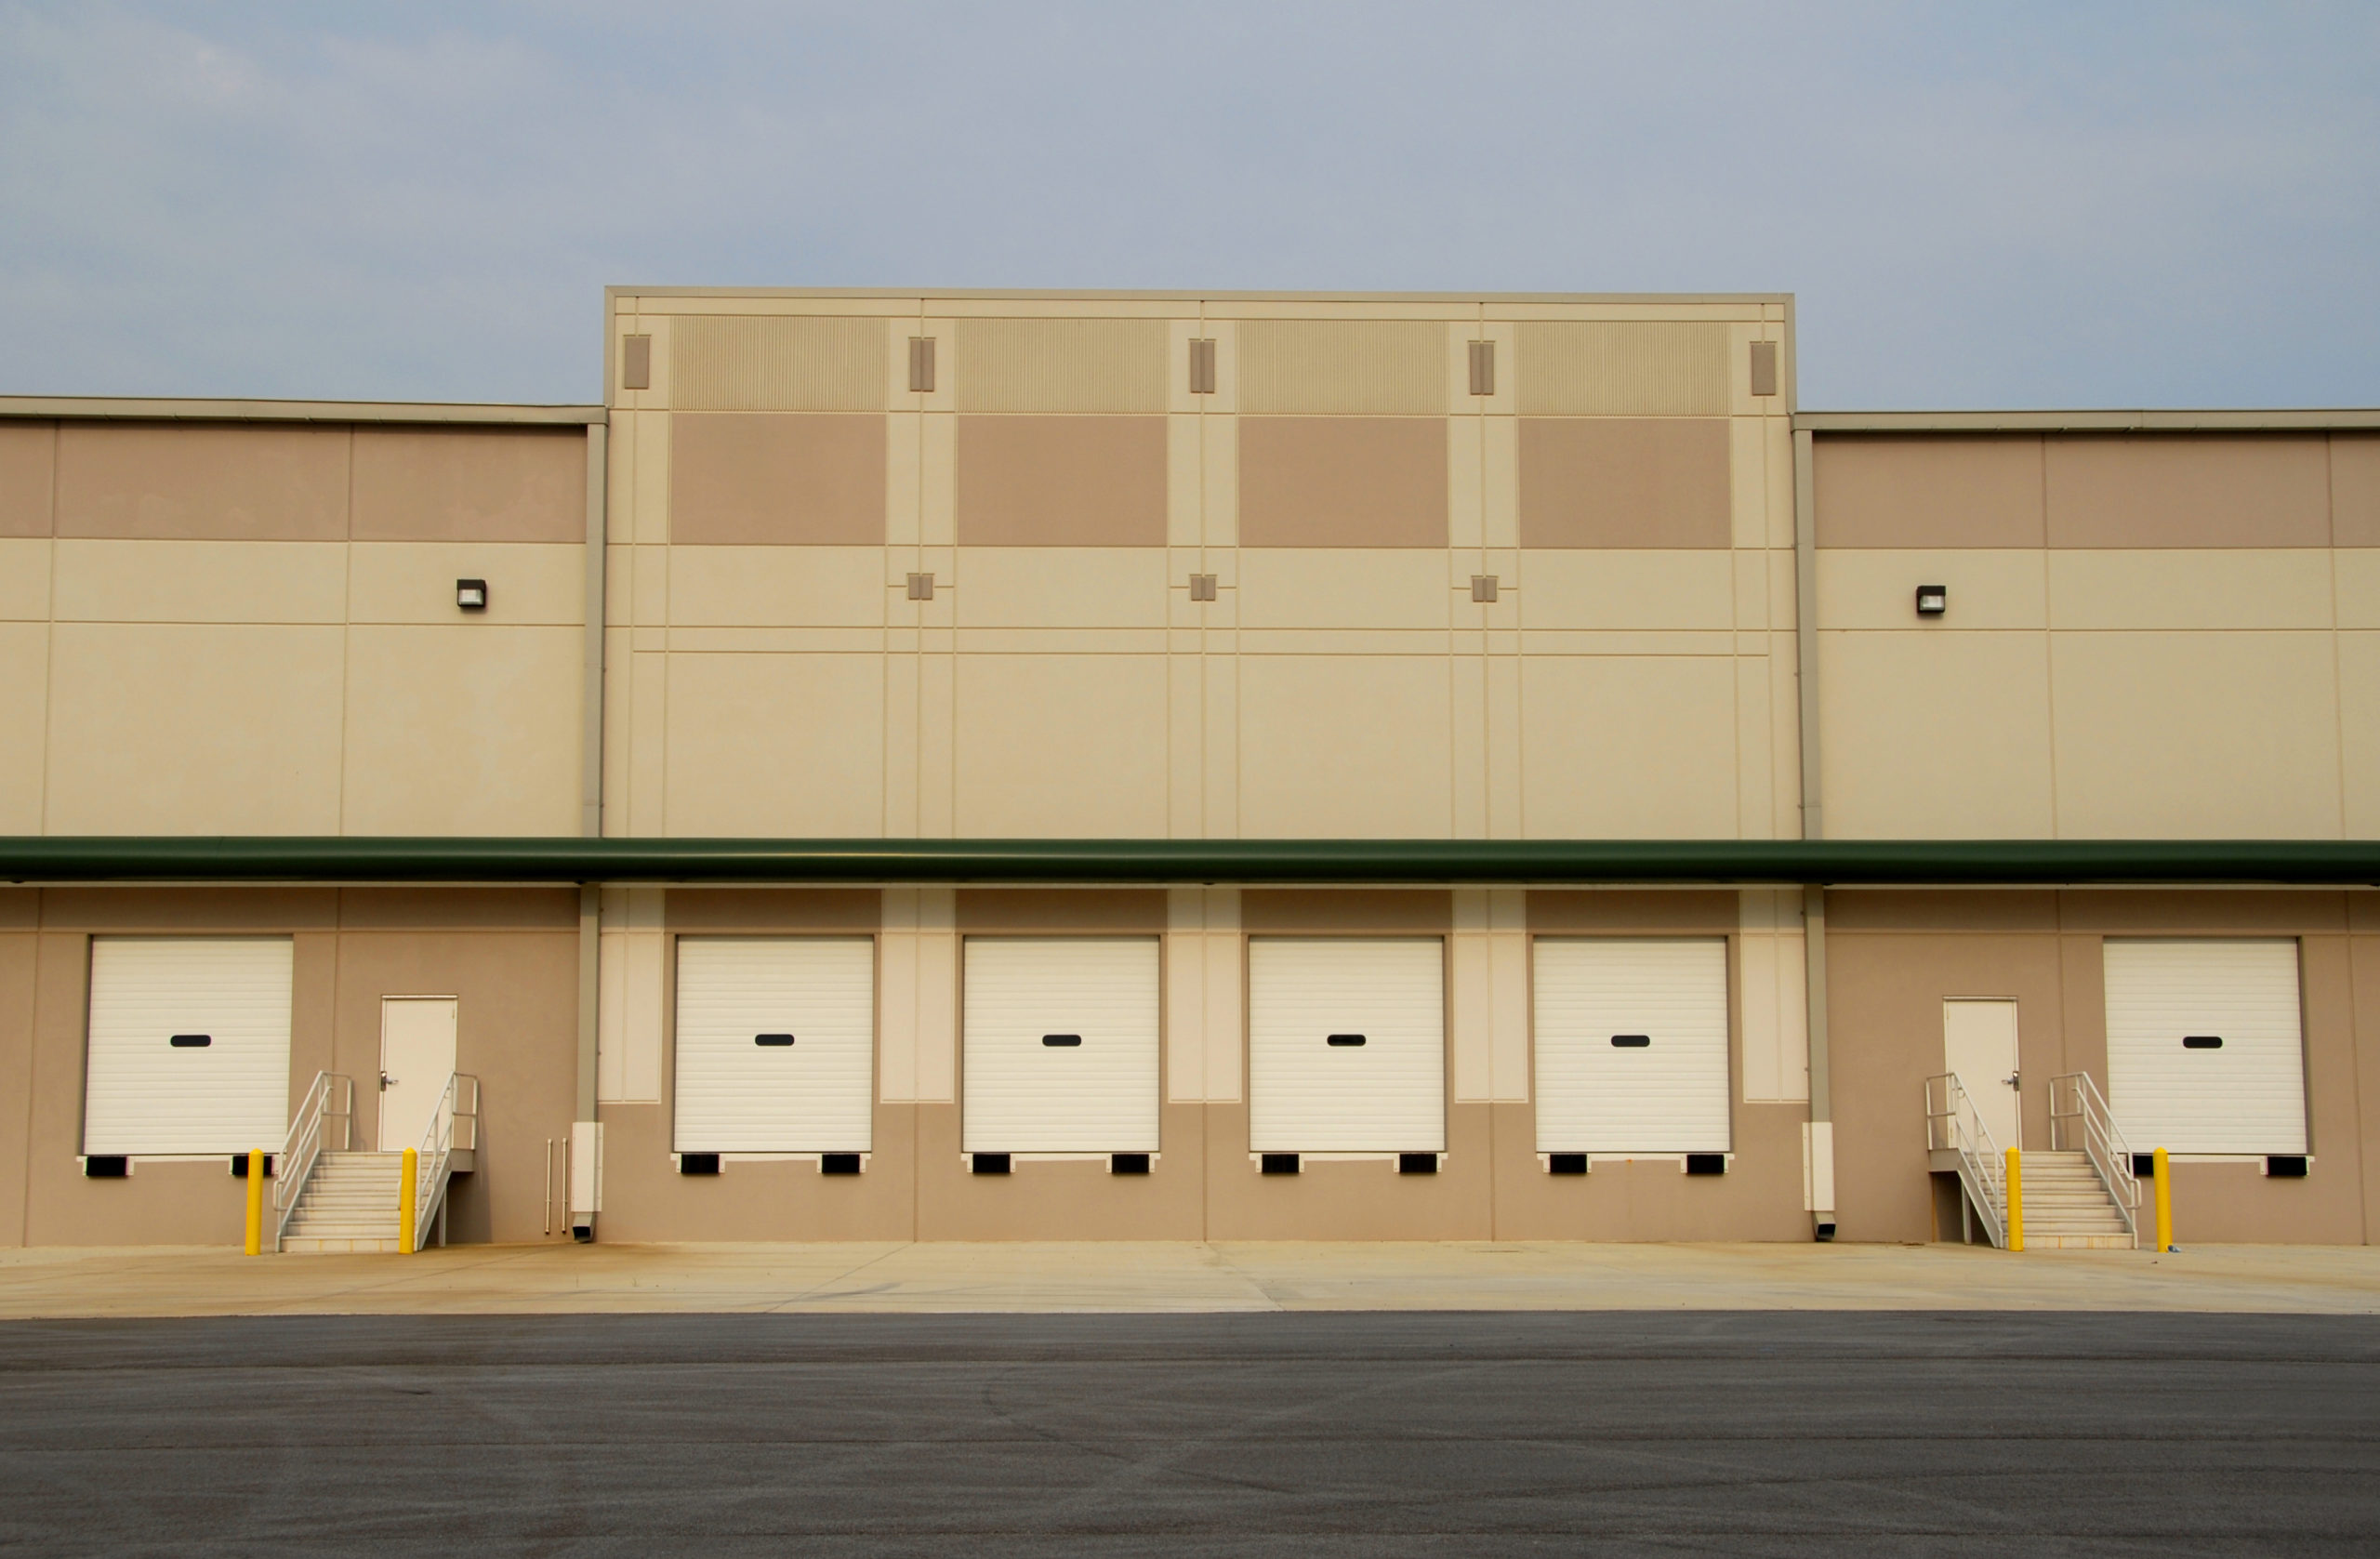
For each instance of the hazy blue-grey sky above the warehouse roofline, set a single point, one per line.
(1979, 206)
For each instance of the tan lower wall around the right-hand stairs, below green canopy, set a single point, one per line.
(1896, 958)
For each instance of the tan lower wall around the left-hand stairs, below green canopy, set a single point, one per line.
(511, 958)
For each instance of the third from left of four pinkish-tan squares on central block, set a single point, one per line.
(1344, 482)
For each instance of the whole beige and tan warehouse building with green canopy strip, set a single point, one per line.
(991, 765)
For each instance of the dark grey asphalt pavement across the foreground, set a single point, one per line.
(1208, 1434)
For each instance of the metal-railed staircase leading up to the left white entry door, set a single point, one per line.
(332, 1201)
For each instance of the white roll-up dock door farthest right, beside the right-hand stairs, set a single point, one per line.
(2250, 1096)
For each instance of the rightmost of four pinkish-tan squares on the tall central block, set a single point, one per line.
(1629, 482)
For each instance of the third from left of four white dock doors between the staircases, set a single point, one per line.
(1313, 1096)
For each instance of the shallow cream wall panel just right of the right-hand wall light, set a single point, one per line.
(2231, 589)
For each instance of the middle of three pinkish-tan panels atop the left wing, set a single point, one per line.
(201, 482)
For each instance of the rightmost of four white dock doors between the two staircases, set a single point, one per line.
(1662, 1096)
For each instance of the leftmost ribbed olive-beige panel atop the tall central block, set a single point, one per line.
(727, 363)
